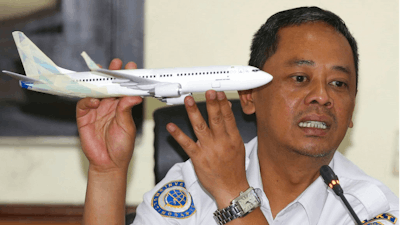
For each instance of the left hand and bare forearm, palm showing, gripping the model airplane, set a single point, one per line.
(107, 133)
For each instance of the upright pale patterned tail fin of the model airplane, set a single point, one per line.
(35, 62)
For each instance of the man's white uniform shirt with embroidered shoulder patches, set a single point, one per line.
(180, 199)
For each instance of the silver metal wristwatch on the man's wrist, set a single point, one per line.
(240, 206)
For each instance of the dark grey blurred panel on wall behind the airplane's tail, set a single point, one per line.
(104, 29)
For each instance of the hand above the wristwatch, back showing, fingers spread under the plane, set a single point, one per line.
(219, 154)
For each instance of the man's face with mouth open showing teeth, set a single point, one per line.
(308, 106)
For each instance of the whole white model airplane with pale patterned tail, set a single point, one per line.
(169, 85)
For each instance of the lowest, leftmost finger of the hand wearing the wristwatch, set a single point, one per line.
(183, 140)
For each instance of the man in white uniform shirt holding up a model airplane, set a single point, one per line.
(302, 116)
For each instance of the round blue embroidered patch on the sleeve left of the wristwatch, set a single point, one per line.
(173, 200)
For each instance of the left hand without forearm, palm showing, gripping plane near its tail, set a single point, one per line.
(106, 128)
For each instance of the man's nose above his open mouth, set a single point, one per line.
(318, 94)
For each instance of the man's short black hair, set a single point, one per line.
(265, 41)
